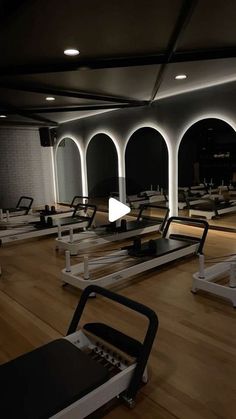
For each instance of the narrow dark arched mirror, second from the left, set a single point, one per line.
(102, 169)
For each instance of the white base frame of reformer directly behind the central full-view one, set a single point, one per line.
(91, 239)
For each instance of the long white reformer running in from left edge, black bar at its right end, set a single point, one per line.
(49, 225)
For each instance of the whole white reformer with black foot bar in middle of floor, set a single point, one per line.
(168, 249)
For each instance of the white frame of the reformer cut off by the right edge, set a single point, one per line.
(205, 280)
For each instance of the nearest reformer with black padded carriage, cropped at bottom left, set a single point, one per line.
(126, 355)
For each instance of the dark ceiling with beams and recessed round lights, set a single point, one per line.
(130, 52)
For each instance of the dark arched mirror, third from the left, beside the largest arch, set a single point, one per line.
(146, 160)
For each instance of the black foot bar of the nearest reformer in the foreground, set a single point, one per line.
(135, 306)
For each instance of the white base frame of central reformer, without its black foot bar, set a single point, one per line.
(76, 275)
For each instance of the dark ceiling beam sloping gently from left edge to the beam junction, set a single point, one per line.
(67, 93)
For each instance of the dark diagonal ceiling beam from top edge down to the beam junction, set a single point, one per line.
(184, 17)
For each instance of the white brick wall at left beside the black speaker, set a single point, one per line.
(25, 167)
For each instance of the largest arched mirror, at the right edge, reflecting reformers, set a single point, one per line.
(207, 172)
